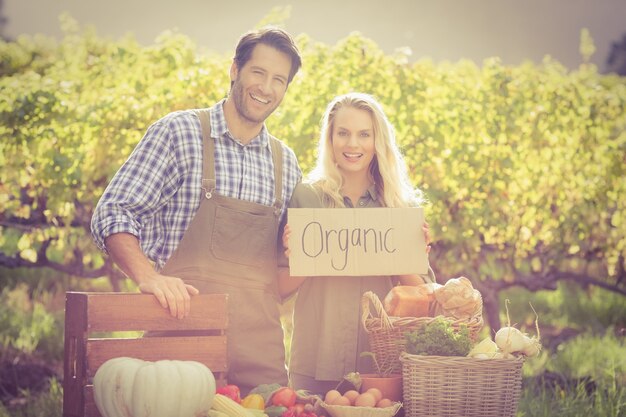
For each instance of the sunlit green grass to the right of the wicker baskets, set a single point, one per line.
(595, 350)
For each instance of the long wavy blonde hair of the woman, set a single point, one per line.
(387, 170)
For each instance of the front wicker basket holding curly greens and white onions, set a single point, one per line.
(451, 386)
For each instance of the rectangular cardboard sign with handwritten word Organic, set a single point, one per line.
(353, 242)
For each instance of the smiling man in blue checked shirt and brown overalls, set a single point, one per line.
(197, 205)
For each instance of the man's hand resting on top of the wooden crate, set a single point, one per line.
(171, 292)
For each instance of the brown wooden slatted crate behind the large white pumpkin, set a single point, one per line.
(91, 317)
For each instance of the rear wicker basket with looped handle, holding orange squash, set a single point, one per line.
(386, 333)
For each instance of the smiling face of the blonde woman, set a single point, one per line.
(353, 140)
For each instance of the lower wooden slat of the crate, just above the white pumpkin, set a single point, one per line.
(209, 350)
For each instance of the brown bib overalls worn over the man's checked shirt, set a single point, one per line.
(230, 247)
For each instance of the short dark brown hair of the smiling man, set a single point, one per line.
(270, 36)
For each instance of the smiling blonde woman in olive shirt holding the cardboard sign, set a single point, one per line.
(359, 165)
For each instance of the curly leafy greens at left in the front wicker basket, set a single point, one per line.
(439, 338)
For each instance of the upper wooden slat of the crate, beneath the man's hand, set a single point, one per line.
(133, 311)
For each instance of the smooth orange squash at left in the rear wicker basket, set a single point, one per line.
(409, 301)
